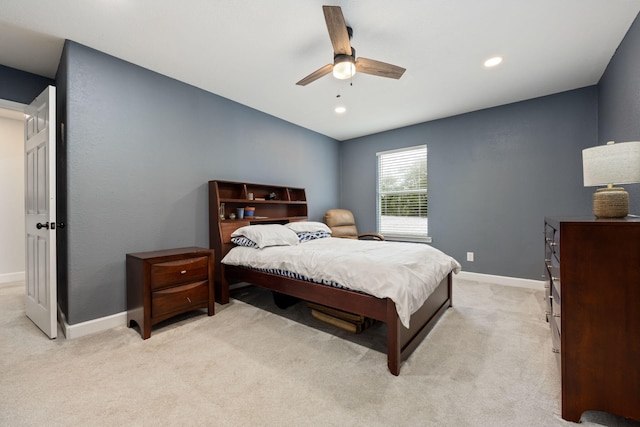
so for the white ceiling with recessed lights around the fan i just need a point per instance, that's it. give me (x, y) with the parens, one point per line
(254, 51)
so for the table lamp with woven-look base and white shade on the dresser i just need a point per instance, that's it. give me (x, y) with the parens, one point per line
(607, 165)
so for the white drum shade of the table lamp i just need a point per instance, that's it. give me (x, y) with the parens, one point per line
(611, 164)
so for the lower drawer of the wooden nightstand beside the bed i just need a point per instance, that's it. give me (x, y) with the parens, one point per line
(178, 298)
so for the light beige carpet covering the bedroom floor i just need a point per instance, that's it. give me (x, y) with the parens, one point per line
(488, 362)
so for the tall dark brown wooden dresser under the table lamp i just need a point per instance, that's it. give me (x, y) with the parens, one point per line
(593, 303)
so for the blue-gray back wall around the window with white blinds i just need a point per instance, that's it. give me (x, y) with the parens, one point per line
(493, 176)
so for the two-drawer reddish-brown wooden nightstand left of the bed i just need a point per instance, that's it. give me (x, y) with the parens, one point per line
(162, 284)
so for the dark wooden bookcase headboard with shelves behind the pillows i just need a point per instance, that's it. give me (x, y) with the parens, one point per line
(272, 203)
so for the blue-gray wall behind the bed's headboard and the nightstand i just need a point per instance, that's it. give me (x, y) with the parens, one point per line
(140, 148)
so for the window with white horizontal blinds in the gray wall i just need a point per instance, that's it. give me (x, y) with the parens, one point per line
(402, 194)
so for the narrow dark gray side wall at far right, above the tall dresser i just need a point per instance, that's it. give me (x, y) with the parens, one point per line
(619, 101)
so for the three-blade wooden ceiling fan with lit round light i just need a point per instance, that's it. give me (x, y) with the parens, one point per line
(345, 64)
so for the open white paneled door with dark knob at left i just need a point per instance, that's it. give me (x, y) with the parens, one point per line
(40, 212)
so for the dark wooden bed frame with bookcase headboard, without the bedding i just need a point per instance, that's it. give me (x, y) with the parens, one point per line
(401, 342)
